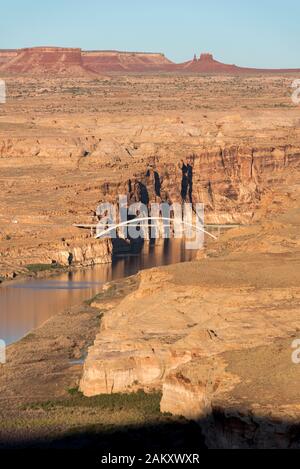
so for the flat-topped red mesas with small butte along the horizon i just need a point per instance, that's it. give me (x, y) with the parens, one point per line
(74, 62)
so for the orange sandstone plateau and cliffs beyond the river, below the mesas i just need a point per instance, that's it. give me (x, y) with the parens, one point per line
(74, 143)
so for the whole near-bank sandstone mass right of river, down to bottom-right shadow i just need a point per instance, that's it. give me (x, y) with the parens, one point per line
(216, 336)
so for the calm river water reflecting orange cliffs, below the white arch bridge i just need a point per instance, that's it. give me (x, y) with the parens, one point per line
(26, 305)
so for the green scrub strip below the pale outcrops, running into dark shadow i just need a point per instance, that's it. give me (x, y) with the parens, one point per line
(109, 421)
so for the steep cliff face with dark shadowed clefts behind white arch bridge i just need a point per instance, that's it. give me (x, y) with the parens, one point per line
(230, 181)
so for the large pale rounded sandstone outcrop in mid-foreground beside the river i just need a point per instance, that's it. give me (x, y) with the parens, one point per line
(172, 321)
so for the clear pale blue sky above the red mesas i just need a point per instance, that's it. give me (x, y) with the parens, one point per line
(262, 33)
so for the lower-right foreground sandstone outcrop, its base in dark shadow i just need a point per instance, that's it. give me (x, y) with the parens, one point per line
(242, 399)
